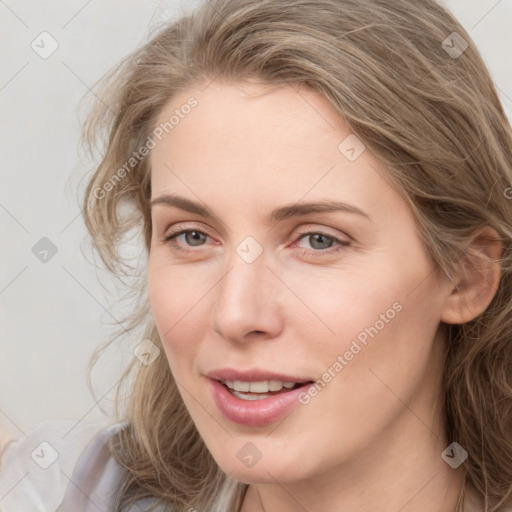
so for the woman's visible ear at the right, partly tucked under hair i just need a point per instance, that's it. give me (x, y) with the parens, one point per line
(477, 282)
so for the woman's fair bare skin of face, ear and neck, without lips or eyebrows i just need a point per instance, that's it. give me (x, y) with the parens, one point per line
(372, 438)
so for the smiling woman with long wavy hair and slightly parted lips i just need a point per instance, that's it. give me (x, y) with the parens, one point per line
(323, 192)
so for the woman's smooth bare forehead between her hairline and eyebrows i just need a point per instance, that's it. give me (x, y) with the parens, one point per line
(256, 144)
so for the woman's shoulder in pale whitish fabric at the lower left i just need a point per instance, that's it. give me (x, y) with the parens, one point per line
(39, 469)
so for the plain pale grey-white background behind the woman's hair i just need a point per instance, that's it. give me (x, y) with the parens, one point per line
(53, 314)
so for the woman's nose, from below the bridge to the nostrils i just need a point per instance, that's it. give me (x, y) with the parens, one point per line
(246, 302)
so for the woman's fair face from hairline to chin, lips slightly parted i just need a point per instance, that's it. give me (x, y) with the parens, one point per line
(298, 258)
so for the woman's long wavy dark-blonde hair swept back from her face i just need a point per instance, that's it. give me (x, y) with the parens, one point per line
(431, 116)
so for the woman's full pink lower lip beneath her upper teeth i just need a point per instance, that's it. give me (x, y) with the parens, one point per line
(255, 413)
